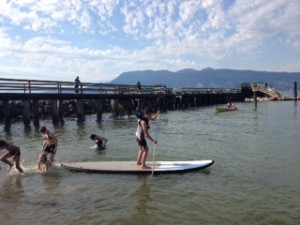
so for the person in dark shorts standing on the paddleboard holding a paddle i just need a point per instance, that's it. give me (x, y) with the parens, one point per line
(142, 133)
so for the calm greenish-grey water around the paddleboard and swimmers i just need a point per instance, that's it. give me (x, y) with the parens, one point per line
(255, 178)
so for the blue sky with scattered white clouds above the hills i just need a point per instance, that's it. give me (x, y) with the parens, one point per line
(98, 40)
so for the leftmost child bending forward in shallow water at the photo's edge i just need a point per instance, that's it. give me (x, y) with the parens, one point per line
(13, 151)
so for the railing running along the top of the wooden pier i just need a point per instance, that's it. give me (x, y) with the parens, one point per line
(23, 86)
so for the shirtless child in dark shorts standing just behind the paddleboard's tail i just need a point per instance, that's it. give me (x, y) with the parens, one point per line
(50, 143)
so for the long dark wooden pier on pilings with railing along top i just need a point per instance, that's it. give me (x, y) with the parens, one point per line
(32, 100)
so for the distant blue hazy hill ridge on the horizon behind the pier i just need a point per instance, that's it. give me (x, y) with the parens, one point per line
(216, 78)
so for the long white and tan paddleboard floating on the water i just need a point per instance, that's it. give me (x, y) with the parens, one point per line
(132, 167)
